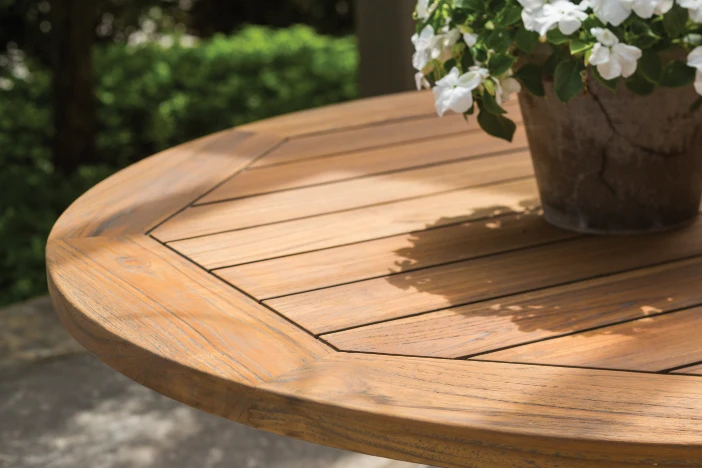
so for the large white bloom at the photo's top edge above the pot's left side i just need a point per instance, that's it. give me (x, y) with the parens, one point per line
(563, 14)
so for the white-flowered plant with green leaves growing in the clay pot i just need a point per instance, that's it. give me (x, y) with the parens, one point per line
(479, 52)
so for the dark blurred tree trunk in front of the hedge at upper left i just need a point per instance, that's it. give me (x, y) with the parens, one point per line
(75, 108)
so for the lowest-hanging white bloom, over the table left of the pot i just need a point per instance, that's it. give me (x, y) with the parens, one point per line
(455, 91)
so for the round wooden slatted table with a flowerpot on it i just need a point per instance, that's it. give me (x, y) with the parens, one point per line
(370, 277)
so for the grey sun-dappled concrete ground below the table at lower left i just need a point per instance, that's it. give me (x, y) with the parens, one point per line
(62, 408)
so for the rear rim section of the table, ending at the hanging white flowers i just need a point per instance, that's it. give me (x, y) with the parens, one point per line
(349, 115)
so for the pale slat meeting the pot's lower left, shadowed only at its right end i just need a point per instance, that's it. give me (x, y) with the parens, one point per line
(304, 235)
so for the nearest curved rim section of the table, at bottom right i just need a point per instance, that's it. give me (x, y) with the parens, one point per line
(473, 414)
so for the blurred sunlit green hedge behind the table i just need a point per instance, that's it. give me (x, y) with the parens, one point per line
(151, 98)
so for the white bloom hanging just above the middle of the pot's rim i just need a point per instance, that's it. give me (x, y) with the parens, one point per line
(612, 58)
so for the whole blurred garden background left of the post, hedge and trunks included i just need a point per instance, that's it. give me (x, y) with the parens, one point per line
(144, 75)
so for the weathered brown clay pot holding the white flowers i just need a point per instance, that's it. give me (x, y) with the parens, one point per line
(619, 163)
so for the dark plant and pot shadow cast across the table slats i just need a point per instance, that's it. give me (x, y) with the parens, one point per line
(546, 288)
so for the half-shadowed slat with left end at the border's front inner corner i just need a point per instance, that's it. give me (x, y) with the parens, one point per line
(524, 318)
